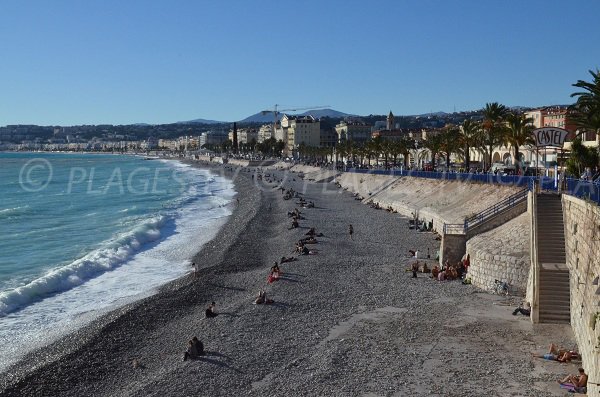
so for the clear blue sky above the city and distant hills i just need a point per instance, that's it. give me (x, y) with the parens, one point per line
(122, 62)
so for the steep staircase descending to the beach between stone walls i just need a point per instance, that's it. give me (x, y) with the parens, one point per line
(554, 288)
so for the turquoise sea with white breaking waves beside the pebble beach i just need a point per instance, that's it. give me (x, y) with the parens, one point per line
(83, 234)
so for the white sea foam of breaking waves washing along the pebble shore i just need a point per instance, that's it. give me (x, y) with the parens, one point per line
(125, 268)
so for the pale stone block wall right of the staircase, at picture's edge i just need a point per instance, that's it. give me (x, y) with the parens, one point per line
(582, 241)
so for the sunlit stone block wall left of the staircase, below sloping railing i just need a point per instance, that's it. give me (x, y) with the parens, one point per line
(501, 254)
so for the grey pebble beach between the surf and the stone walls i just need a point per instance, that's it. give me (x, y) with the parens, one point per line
(348, 321)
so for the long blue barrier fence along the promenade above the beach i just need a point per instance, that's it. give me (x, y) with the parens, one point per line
(575, 187)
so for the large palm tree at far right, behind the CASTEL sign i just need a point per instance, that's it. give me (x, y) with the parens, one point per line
(585, 113)
